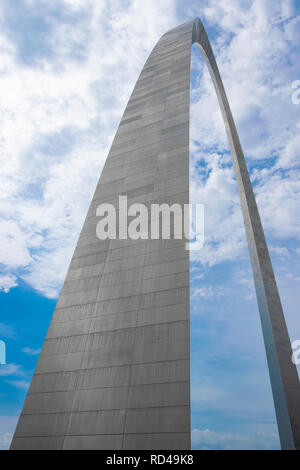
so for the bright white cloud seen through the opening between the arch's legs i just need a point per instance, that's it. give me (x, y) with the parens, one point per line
(223, 224)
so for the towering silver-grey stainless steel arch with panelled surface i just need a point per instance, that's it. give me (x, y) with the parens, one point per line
(114, 371)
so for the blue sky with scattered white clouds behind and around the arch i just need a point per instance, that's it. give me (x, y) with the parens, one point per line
(67, 69)
